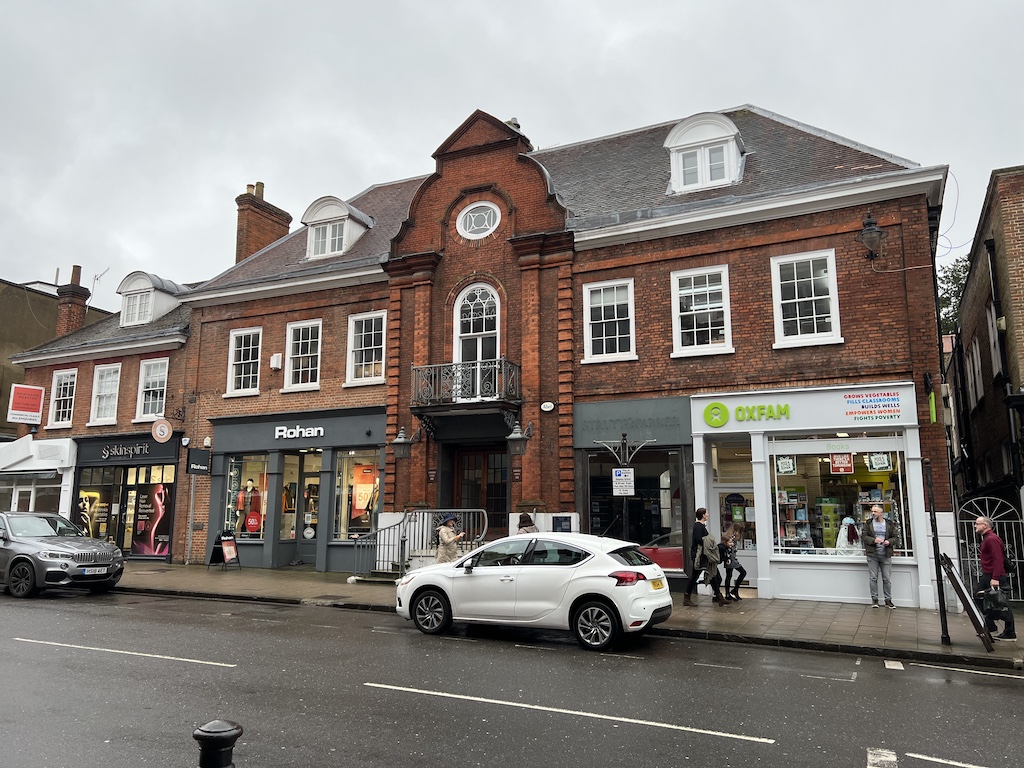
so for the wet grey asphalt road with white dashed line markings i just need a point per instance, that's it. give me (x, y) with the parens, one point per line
(123, 680)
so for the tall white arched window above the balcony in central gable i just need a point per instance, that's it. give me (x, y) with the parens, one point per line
(477, 344)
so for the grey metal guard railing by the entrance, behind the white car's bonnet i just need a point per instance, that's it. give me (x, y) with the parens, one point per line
(408, 540)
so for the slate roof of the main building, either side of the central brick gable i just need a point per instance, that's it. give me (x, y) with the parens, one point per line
(602, 182)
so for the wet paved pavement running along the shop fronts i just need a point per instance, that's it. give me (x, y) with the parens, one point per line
(846, 628)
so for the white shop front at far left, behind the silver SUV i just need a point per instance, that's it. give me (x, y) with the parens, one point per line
(38, 476)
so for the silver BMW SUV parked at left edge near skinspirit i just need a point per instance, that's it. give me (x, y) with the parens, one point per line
(40, 550)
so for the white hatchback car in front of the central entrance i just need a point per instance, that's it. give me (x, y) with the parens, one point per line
(599, 588)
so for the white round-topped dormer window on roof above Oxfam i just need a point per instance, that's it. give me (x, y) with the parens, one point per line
(706, 151)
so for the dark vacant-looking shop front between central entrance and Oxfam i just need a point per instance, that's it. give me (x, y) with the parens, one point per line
(651, 441)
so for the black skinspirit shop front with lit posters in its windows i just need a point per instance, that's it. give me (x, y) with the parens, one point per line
(125, 492)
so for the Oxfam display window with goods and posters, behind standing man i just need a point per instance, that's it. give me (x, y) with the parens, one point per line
(818, 498)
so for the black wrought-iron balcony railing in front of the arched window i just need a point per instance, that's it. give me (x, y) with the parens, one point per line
(467, 382)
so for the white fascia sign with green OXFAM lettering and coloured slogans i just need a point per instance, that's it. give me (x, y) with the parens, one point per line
(889, 405)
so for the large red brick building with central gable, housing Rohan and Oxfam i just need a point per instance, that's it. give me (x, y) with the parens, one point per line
(735, 311)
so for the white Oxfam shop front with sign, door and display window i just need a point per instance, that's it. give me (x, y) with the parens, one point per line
(792, 473)
